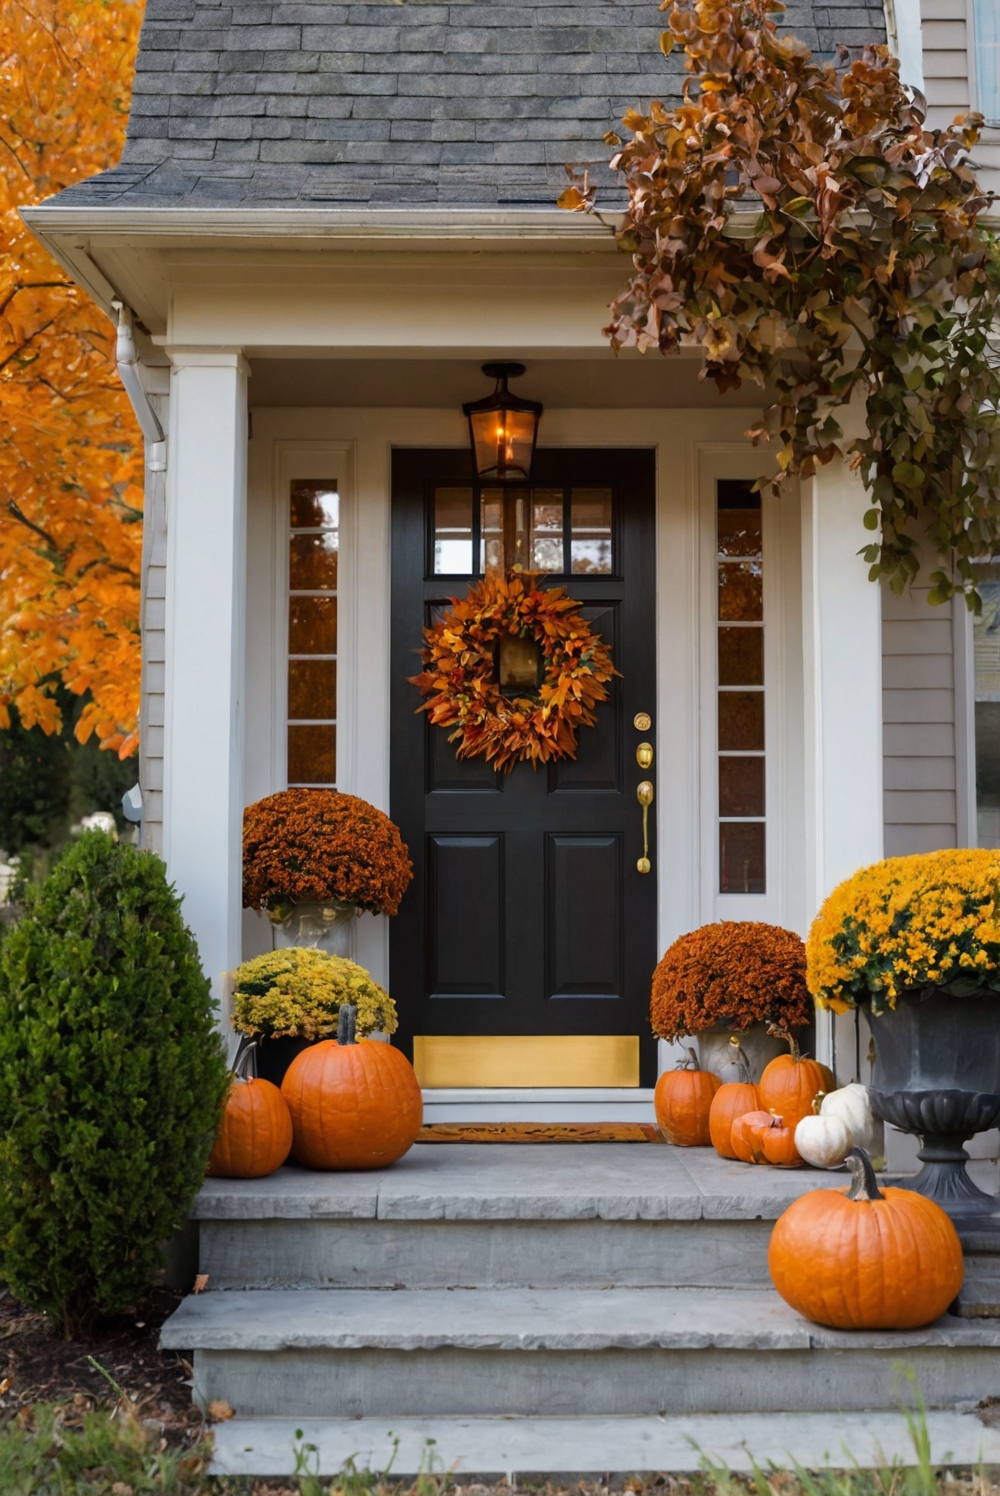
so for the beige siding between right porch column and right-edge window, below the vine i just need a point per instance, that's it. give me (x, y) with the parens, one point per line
(920, 770)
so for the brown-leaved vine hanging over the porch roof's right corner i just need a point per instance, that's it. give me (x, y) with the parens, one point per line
(799, 221)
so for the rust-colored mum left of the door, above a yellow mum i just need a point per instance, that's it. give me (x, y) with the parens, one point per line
(323, 847)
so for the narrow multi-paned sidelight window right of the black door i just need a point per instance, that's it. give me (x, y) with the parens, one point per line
(740, 689)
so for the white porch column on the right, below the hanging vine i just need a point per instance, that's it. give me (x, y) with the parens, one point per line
(842, 647)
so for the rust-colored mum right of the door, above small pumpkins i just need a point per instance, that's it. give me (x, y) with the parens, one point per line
(731, 975)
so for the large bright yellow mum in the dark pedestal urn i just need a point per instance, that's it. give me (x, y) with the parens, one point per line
(929, 921)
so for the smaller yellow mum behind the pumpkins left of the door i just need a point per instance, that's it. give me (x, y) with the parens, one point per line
(299, 993)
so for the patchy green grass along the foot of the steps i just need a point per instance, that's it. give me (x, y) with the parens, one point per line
(82, 1450)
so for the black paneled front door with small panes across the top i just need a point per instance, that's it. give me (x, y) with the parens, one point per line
(528, 915)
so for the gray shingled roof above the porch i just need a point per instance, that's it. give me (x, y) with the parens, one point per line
(396, 104)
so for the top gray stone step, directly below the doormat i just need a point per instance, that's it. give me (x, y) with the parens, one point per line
(511, 1215)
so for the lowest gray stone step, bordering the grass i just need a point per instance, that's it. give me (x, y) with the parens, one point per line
(519, 1449)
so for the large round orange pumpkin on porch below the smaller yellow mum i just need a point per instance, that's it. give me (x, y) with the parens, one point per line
(354, 1103)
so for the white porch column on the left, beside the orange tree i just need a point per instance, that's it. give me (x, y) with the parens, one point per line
(206, 604)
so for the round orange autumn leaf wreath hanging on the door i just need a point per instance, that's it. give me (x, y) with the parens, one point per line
(460, 672)
